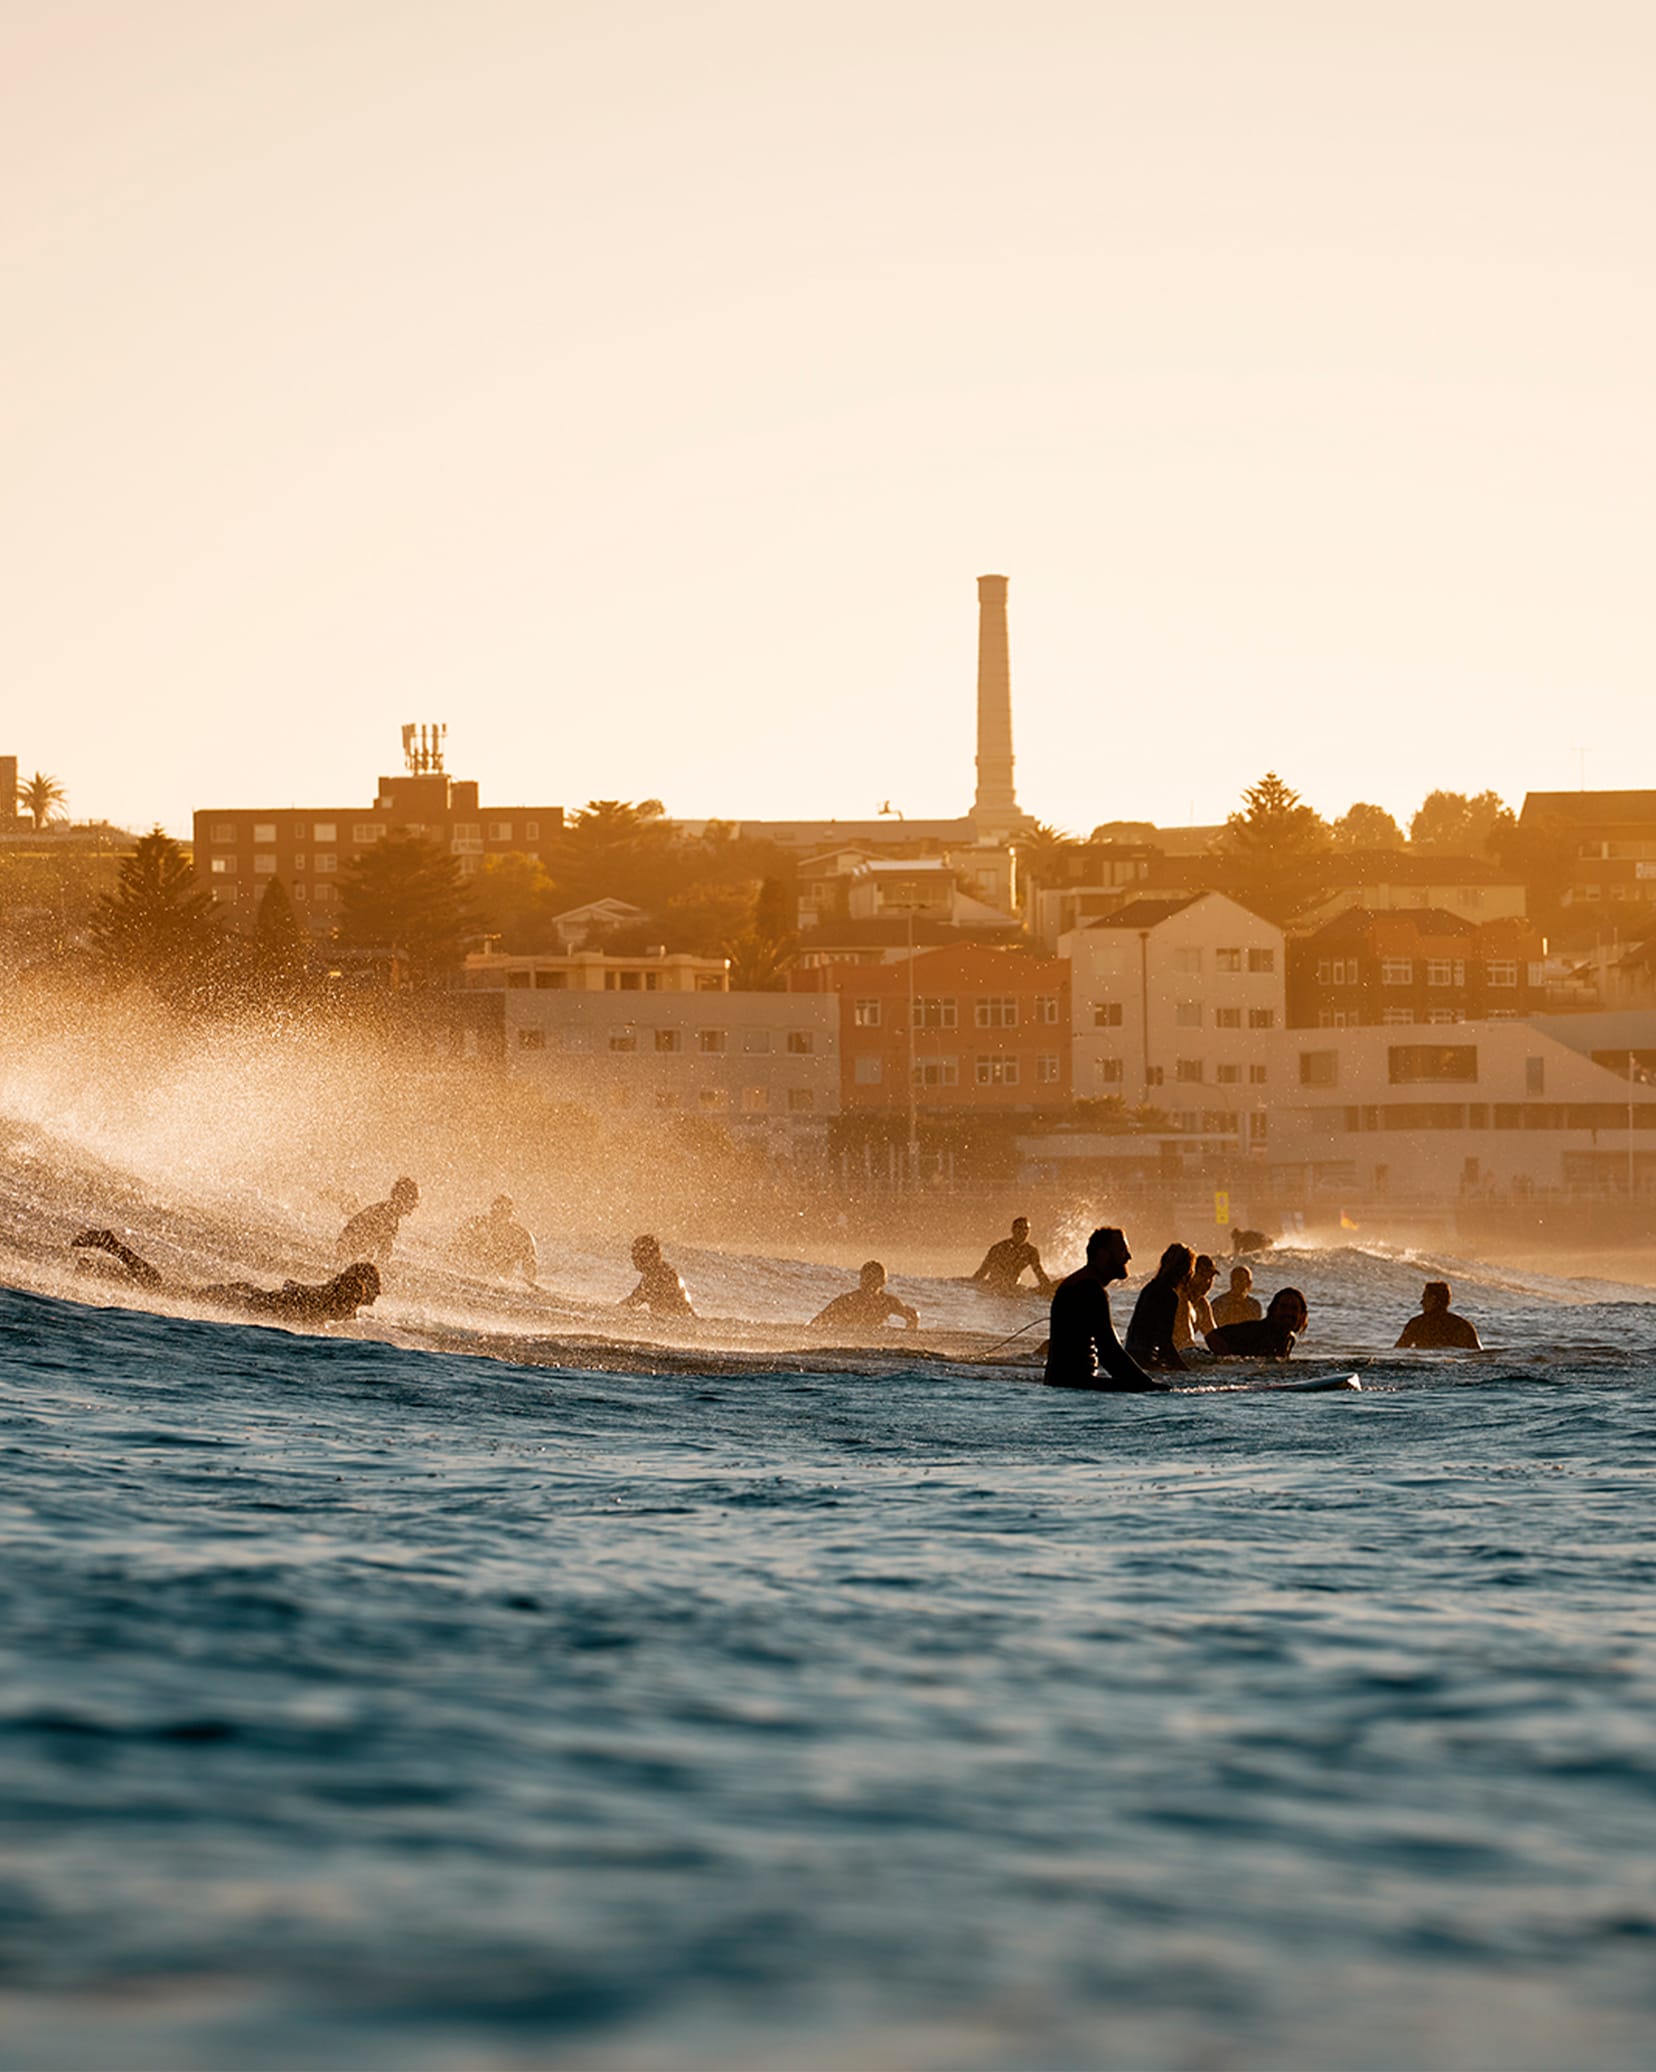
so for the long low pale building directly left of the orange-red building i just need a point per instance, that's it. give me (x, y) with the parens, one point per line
(766, 1066)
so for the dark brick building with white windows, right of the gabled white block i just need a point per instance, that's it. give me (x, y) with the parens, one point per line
(1406, 967)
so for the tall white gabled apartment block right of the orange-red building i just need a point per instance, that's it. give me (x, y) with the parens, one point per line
(1180, 1004)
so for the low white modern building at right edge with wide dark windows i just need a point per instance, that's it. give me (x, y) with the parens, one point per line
(1479, 1112)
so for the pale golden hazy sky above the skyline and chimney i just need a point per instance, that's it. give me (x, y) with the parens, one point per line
(641, 386)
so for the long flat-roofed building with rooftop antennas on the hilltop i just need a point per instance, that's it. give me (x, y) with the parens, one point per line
(241, 848)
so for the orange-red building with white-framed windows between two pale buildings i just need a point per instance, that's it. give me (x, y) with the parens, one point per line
(973, 1031)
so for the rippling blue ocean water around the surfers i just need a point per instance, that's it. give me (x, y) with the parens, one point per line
(635, 1704)
